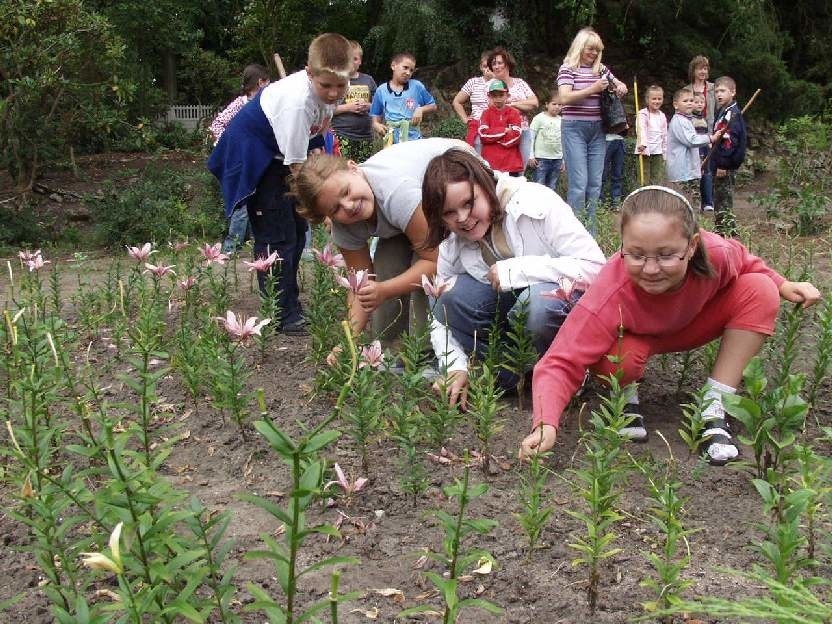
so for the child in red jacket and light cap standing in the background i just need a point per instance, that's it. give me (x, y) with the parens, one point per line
(500, 130)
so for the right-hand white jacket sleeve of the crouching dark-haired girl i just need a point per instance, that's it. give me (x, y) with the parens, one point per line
(571, 253)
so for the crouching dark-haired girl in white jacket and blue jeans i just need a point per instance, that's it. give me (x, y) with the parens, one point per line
(500, 241)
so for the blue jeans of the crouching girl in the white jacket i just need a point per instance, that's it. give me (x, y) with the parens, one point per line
(469, 308)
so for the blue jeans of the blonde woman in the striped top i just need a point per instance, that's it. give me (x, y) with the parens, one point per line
(584, 149)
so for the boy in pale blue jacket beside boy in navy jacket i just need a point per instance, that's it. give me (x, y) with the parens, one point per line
(683, 164)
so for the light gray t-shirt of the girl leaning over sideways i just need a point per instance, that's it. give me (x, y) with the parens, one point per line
(395, 175)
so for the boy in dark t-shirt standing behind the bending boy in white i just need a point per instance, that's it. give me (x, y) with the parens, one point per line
(351, 122)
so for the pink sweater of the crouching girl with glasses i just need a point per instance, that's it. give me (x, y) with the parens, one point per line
(591, 329)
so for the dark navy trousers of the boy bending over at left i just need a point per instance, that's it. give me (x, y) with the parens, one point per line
(276, 226)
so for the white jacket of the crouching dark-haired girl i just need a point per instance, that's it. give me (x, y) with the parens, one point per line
(548, 243)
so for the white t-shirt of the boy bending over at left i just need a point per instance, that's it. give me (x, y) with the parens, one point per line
(295, 114)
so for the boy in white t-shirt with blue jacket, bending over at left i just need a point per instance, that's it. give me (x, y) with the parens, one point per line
(265, 142)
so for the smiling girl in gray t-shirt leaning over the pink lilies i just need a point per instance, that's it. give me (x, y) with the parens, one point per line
(380, 197)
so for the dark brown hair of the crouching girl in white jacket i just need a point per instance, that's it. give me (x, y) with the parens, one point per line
(455, 165)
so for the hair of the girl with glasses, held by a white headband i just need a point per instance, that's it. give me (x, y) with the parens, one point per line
(669, 203)
